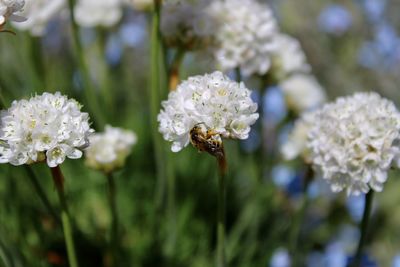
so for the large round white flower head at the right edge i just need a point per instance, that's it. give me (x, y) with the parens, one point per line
(354, 141)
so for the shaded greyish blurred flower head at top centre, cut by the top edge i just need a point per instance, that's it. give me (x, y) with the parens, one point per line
(186, 24)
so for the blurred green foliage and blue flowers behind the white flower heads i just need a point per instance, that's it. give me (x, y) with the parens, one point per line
(351, 45)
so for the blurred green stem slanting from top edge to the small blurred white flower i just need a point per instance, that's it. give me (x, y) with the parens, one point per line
(89, 90)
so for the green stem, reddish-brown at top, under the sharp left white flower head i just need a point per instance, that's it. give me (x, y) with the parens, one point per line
(58, 179)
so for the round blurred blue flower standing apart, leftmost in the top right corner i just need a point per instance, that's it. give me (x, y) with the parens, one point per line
(335, 19)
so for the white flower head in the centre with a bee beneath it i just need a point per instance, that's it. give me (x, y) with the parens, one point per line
(222, 105)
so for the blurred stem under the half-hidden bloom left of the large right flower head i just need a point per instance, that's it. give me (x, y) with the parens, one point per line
(299, 216)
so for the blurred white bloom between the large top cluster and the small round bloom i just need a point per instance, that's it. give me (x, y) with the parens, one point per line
(288, 57)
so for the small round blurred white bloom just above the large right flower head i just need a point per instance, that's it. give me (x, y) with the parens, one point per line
(302, 92)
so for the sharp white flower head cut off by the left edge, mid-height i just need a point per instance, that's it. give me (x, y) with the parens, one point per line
(46, 127)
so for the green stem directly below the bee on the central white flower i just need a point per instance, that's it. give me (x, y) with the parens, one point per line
(221, 257)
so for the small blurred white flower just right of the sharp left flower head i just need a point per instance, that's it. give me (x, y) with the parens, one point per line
(109, 150)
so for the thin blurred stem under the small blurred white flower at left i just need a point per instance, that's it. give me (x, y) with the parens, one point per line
(114, 214)
